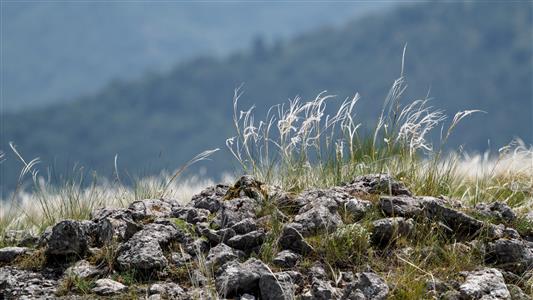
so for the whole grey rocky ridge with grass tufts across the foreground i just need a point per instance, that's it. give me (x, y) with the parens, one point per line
(253, 241)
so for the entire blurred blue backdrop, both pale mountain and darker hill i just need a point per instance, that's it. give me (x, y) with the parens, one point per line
(152, 82)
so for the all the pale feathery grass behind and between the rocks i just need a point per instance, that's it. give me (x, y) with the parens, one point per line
(299, 146)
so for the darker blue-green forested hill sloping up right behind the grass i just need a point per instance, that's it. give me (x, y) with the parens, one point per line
(470, 55)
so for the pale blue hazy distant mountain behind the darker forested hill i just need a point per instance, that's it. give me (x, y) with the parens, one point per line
(58, 50)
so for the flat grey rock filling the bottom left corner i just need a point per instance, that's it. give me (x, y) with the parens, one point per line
(21, 284)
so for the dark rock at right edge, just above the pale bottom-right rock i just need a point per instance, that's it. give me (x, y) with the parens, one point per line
(512, 255)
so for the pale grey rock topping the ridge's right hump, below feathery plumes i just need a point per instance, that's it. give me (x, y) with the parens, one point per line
(377, 184)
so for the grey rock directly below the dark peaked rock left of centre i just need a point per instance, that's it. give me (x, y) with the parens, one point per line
(236, 210)
